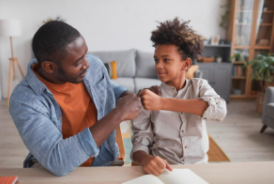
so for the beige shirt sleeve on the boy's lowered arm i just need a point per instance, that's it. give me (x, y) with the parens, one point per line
(142, 133)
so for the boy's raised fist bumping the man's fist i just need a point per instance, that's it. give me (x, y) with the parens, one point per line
(150, 100)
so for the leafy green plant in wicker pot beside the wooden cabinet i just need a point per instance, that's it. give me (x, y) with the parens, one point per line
(262, 72)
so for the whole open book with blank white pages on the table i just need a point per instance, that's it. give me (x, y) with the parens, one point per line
(177, 176)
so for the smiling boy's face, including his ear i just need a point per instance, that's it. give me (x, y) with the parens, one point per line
(169, 64)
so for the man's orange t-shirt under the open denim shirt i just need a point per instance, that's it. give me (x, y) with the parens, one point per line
(78, 109)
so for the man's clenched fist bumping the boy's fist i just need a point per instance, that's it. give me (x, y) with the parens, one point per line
(130, 106)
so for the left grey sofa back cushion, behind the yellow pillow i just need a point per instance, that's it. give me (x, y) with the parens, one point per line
(126, 66)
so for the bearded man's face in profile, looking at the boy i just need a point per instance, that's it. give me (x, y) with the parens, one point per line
(74, 66)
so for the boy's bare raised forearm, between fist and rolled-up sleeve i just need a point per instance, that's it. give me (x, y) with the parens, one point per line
(192, 106)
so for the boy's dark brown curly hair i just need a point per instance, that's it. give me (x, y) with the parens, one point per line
(190, 44)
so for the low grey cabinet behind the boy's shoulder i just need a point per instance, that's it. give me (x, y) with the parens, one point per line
(218, 76)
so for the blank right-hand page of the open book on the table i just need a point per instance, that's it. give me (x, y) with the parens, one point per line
(181, 176)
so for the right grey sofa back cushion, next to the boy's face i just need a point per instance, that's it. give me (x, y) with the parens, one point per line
(145, 65)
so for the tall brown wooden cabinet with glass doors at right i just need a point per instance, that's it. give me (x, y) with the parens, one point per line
(250, 29)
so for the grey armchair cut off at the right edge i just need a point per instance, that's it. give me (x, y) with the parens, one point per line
(268, 109)
